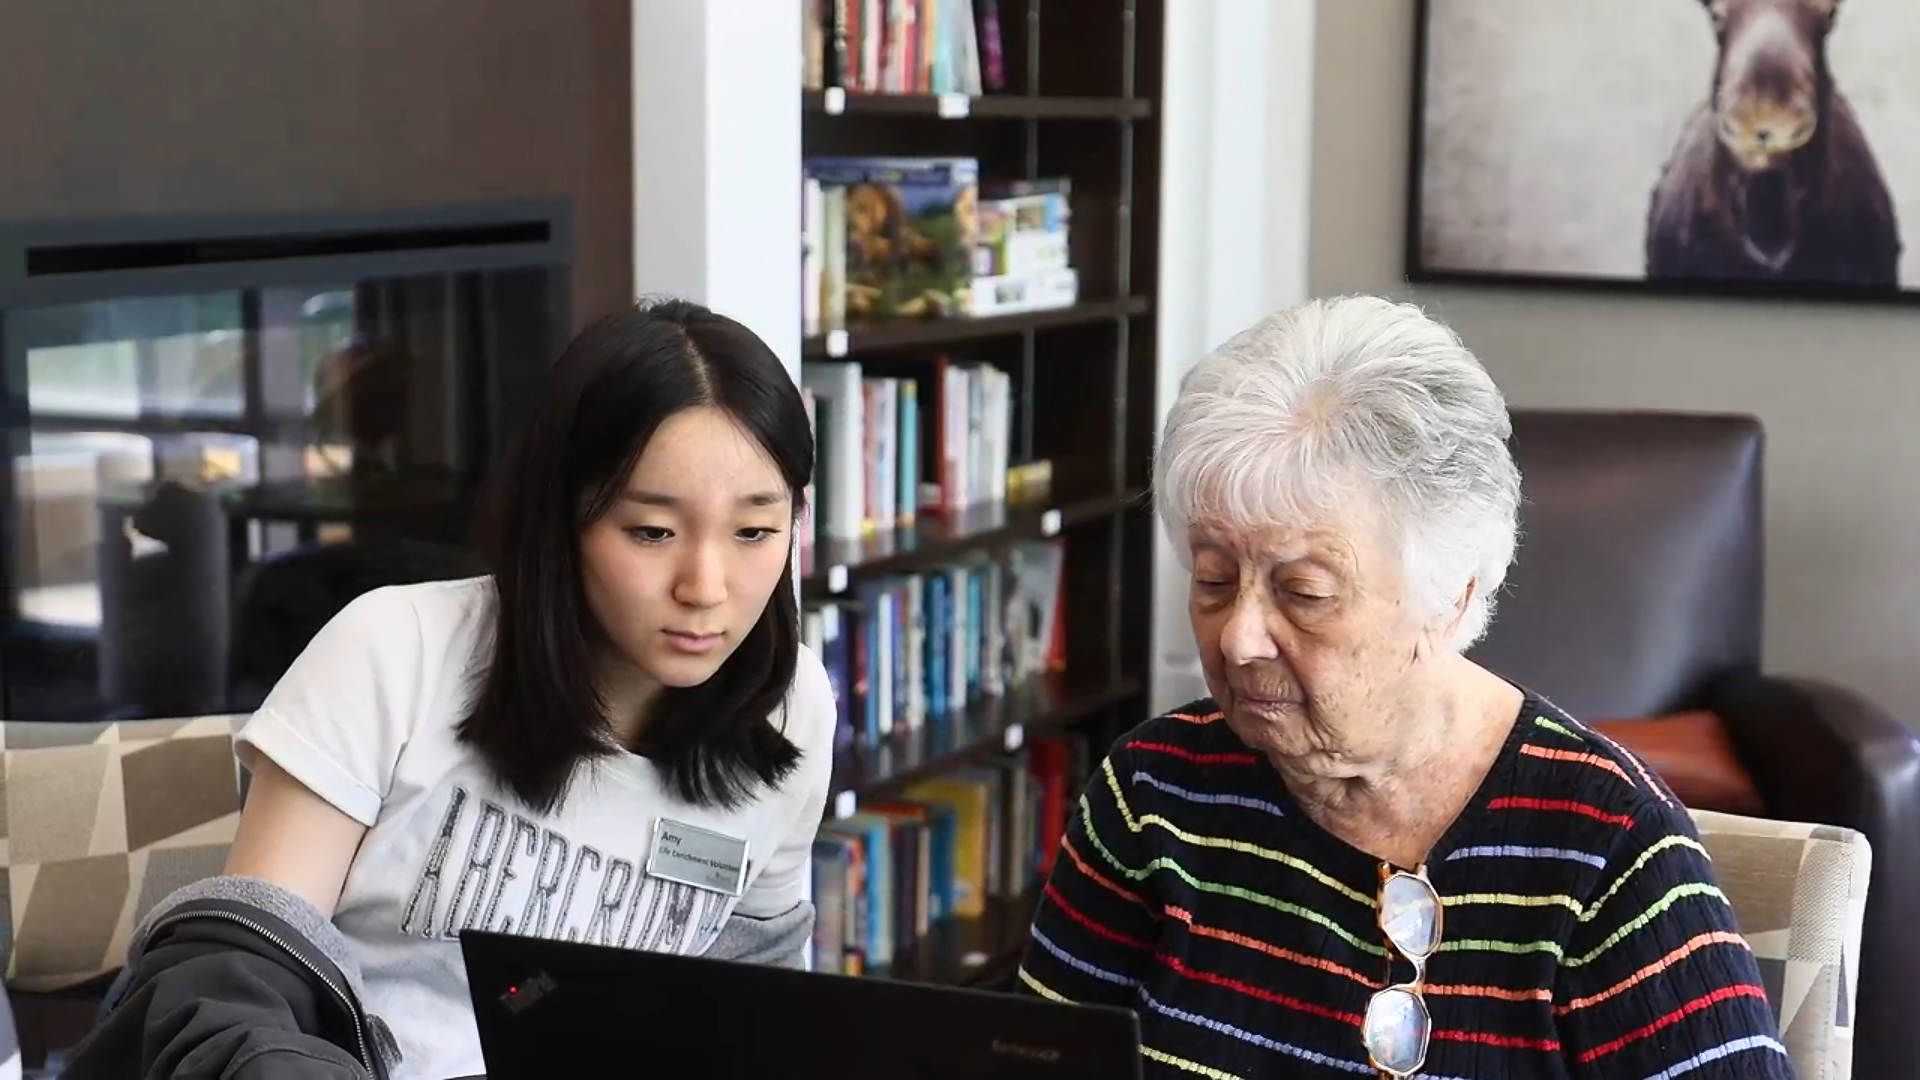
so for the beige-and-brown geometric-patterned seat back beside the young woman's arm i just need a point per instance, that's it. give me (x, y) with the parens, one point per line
(99, 823)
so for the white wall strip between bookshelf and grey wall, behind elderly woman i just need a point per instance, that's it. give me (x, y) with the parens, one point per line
(1237, 116)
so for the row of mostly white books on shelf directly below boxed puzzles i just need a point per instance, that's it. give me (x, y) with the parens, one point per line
(892, 447)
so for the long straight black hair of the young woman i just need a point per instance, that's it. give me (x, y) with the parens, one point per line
(539, 712)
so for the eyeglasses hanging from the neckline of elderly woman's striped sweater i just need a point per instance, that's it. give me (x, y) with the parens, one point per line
(1397, 1027)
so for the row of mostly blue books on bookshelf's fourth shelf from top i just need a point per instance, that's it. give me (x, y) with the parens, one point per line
(928, 645)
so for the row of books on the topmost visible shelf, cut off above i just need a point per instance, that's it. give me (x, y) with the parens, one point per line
(903, 47)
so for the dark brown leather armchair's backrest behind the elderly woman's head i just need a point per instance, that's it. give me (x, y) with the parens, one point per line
(1641, 564)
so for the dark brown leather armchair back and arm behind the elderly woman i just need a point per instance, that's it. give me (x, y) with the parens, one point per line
(1639, 593)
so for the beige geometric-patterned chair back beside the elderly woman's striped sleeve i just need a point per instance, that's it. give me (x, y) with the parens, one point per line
(1800, 898)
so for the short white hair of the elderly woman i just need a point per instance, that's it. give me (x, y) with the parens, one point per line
(1353, 399)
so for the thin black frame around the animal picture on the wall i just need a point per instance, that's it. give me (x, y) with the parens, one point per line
(1416, 270)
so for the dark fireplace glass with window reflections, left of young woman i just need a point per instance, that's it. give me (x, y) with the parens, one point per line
(201, 470)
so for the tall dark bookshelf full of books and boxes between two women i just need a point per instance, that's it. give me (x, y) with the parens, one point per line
(948, 800)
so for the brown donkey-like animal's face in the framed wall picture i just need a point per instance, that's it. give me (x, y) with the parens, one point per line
(1771, 78)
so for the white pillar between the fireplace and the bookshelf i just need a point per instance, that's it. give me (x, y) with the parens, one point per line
(717, 160)
